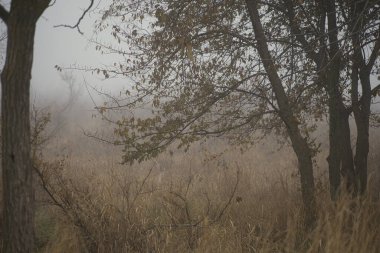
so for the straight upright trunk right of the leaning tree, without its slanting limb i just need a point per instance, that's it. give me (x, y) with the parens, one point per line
(340, 153)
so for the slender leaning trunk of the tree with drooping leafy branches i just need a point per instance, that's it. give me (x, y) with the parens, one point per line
(299, 144)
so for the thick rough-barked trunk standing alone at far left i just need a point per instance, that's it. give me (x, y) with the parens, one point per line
(18, 193)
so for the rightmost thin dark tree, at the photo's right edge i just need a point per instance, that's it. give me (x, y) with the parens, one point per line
(365, 27)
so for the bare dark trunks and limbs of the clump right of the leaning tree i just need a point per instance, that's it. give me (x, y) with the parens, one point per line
(328, 61)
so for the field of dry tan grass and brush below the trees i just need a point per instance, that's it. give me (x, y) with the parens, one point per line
(211, 199)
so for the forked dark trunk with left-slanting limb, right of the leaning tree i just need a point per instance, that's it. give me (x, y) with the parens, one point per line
(328, 61)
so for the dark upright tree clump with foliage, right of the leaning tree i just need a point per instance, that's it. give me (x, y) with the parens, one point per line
(342, 39)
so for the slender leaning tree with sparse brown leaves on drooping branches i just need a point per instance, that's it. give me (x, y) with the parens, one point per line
(195, 66)
